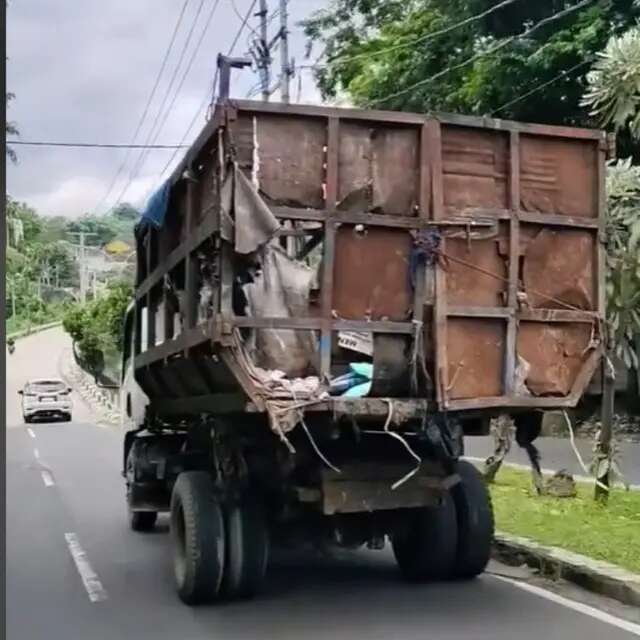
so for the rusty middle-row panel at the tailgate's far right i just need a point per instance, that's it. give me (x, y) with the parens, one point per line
(557, 268)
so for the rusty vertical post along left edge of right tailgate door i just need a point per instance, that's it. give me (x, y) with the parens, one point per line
(440, 306)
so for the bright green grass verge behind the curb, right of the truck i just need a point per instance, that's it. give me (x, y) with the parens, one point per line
(605, 532)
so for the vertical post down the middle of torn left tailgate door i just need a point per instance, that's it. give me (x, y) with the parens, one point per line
(331, 199)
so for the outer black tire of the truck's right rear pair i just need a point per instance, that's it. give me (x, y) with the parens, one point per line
(475, 522)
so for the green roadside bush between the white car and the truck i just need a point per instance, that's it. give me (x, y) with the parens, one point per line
(97, 326)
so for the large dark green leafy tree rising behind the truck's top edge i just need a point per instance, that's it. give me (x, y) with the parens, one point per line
(375, 51)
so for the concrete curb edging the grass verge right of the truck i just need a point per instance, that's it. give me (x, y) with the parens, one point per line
(594, 575)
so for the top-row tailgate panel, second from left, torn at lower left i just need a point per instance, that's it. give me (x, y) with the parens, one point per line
(384, 161)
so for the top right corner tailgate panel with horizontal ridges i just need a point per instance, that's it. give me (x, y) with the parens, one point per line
(559, 176)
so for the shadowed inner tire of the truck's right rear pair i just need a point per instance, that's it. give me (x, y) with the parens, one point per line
(425, 548)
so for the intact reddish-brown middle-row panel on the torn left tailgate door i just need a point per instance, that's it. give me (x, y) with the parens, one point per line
(371, 274)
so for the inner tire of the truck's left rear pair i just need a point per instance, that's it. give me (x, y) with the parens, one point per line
(247, 550)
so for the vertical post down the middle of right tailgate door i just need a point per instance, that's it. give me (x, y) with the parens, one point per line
(514, 262)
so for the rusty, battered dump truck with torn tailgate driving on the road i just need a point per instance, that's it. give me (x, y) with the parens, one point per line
(327, 302)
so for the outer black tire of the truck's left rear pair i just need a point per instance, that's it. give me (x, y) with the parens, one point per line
(197, 532)
